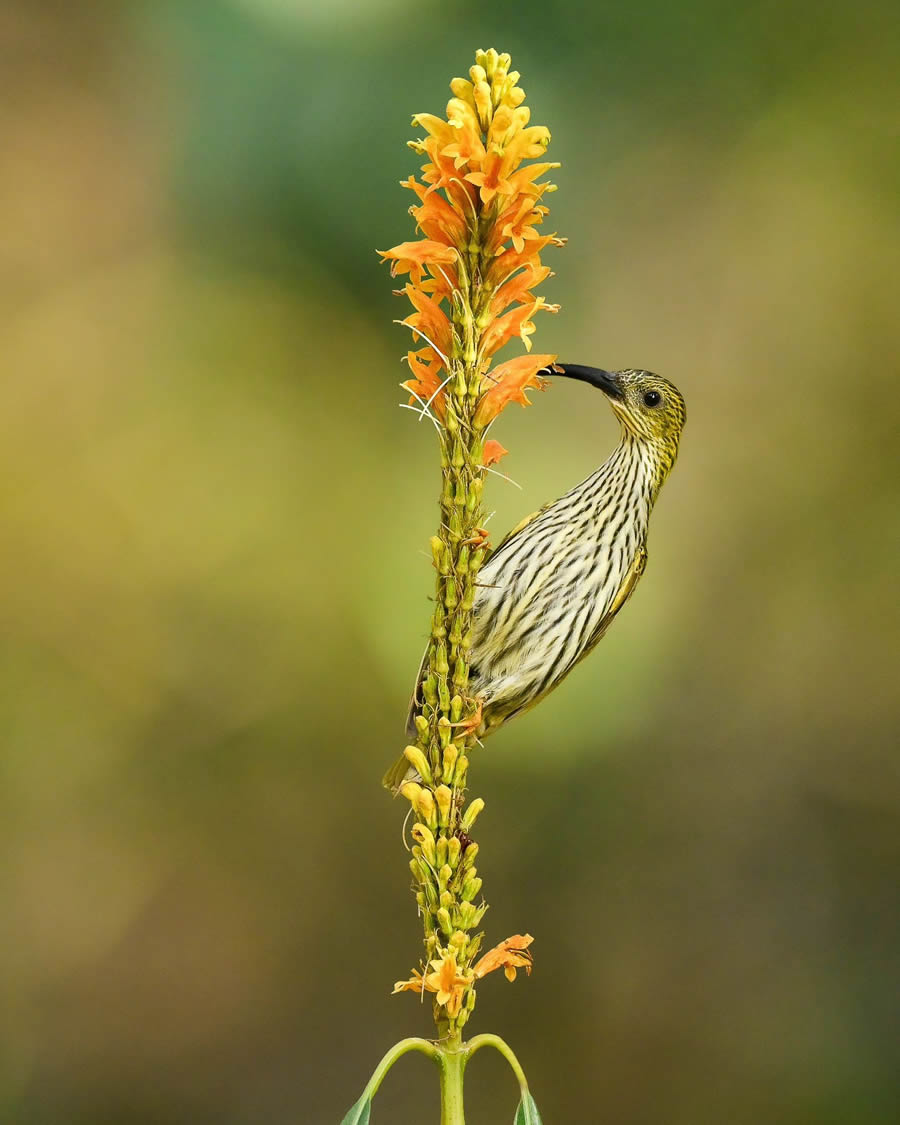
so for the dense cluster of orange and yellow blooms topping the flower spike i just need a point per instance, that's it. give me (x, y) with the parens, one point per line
(474, 273)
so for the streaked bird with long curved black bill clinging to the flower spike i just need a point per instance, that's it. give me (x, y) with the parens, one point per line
(552, 589)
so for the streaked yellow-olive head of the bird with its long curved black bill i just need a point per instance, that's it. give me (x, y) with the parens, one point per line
(650, 408)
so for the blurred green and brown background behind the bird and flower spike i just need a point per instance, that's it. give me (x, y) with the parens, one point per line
(214, 578)
